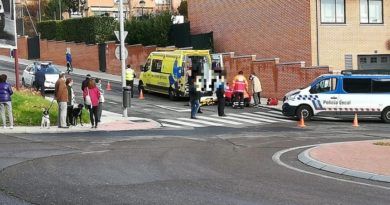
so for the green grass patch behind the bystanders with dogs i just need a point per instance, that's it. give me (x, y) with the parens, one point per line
(27, 109)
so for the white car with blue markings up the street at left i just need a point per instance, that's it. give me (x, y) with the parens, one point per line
(40, 74)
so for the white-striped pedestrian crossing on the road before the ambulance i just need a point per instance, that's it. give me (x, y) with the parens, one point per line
(231, 120)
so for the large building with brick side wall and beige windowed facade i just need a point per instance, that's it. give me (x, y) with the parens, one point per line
(344, 34)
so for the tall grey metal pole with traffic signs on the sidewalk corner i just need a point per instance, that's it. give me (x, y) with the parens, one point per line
(122, 47)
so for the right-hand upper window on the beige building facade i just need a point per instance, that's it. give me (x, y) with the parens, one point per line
(371, 11)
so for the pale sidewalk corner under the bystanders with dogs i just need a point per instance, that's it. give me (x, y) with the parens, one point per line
(110, 122)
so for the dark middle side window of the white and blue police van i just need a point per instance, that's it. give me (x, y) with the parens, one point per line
(357, 85)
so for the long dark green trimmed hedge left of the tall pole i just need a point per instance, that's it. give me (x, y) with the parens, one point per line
(90, 30)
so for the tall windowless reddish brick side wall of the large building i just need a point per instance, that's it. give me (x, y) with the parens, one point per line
(269, 29)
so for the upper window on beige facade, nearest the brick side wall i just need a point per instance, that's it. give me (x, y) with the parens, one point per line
(332, 11)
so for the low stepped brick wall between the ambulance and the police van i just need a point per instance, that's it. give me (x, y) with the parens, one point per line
(276, 78)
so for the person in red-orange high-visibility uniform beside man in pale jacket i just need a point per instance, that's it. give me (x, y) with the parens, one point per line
(240, 85)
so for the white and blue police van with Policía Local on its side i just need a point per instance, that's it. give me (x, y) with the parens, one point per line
(341, 96)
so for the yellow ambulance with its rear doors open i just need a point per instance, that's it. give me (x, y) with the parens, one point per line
(168, 72)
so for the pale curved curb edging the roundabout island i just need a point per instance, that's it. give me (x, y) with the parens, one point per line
(305, 158)
